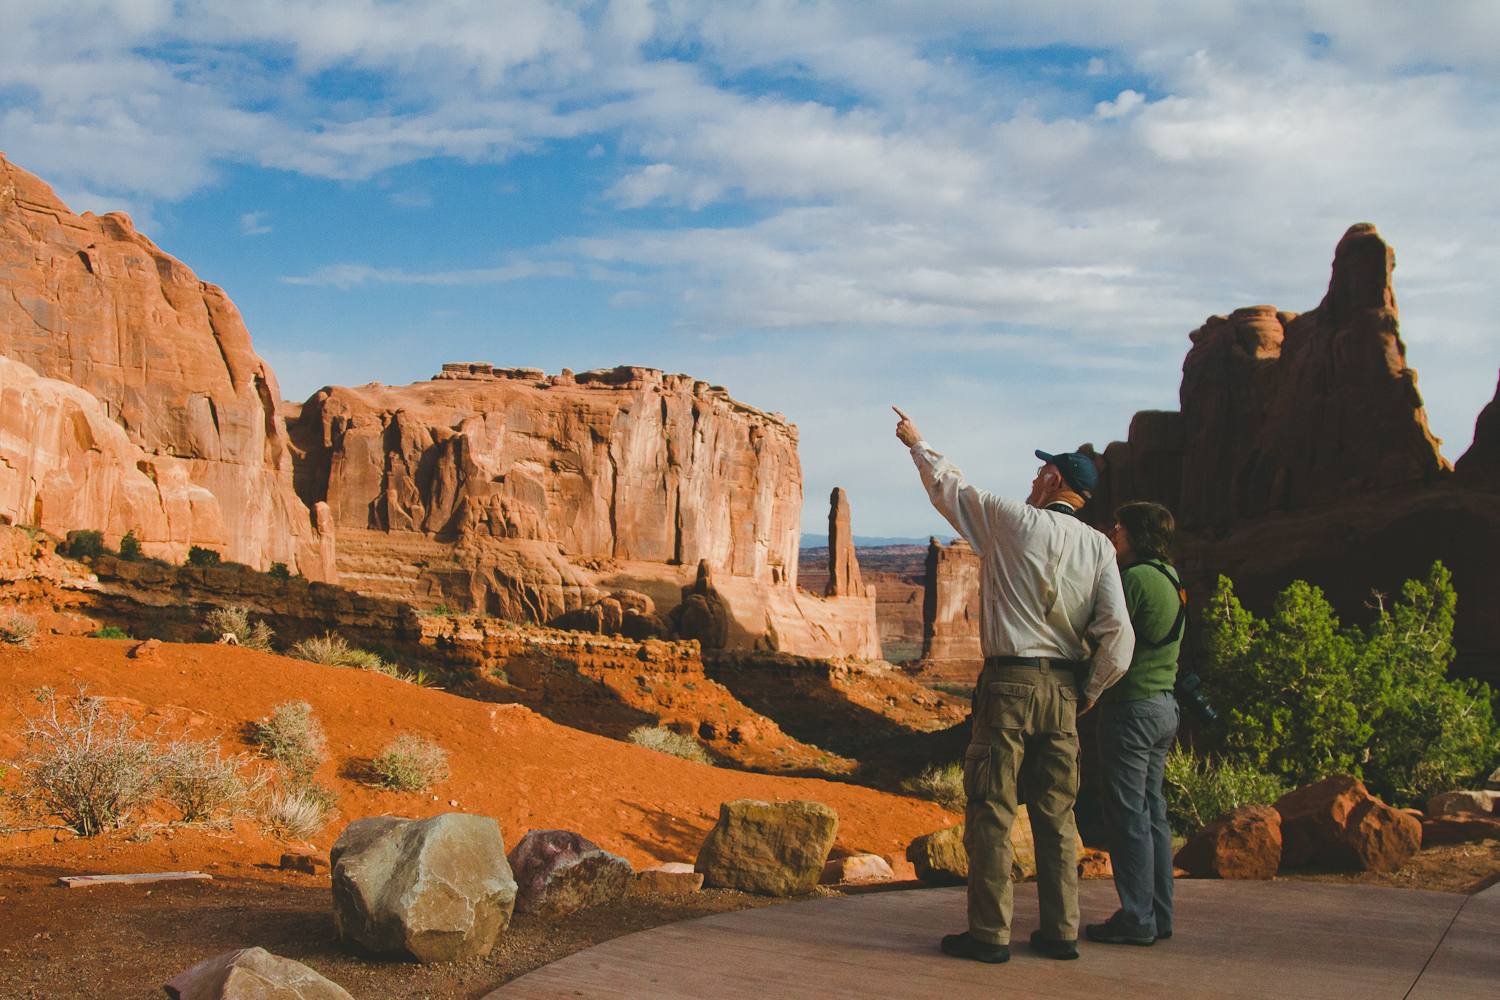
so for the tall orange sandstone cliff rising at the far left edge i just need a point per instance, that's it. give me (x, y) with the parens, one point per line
(94, 304)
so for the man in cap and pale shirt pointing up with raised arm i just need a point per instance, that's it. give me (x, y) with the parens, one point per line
(1049, 591)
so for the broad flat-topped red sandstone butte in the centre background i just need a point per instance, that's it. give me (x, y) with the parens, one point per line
(529, 497)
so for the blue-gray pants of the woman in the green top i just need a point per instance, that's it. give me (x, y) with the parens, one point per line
(1135, 738)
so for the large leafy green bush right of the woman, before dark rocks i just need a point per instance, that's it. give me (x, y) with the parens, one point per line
(1304, 699)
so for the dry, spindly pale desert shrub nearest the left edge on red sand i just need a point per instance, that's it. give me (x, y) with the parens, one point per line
(85, 765)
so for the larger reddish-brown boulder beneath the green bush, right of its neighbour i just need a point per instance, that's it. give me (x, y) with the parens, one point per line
(1336, 822)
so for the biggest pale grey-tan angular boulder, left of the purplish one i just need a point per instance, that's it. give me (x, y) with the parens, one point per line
(439, 890)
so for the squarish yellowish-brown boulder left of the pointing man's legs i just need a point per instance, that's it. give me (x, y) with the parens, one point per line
(770, 849)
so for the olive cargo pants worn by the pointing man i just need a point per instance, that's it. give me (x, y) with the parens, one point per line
(1025, 728)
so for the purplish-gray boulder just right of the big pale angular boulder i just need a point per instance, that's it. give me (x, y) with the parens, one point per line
(560, 872)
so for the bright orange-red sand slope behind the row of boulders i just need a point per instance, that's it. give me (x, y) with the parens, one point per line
(506, 761)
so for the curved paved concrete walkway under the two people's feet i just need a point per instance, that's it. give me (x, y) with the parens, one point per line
(1243, 941)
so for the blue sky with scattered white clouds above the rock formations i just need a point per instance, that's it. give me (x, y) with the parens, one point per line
(1004, 218)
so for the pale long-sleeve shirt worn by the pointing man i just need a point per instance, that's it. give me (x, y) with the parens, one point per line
(1048, 582)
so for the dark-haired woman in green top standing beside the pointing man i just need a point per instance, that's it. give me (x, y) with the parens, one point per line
(1138, 723)
